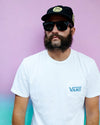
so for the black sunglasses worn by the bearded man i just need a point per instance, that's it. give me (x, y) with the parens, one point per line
(61, 25)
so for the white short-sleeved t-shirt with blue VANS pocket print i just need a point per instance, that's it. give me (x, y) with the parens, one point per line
(57, 88)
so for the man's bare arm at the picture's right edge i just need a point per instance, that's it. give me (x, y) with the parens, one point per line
(92, 111)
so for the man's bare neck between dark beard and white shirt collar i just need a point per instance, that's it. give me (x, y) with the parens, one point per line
(59, 55)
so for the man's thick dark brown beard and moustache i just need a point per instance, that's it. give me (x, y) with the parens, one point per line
(65, 42)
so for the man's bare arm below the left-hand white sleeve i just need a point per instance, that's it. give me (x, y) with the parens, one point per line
(19, 111)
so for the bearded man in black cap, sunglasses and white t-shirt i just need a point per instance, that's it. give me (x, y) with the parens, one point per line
(59, 80)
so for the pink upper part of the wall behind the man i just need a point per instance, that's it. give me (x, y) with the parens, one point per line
(21, 32)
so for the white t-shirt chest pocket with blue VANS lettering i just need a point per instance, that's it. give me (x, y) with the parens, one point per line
(75, 95)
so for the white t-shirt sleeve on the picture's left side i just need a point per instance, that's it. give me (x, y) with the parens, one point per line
(20, 85)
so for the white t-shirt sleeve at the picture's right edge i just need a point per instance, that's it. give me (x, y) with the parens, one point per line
(93, 81)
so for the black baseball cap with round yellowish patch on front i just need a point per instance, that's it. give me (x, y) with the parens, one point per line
(64, 11)
